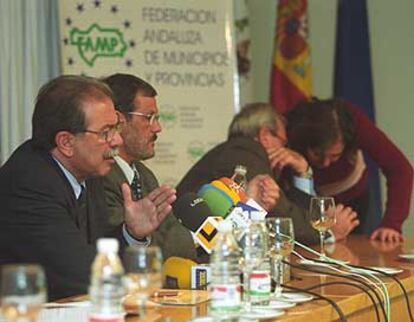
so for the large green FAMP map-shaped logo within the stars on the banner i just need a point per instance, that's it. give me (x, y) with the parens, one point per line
(97, 42)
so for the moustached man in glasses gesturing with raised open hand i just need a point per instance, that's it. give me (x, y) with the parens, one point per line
(51, 195)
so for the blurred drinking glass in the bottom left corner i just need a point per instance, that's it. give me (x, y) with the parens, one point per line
(22, 291)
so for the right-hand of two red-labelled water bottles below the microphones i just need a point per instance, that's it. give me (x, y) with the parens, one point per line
(256, 265)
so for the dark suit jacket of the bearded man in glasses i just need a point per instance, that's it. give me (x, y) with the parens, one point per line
(172, 237)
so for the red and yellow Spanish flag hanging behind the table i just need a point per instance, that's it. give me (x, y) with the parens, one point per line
(291, 79)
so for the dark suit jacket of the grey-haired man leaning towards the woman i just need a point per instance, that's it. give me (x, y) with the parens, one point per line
(221, 161)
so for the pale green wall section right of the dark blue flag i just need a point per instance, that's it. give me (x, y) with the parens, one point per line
(392, 43)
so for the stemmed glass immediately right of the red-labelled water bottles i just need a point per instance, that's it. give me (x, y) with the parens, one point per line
(281, 243)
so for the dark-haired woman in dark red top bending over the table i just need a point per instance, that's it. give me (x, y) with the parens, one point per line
(332, 135)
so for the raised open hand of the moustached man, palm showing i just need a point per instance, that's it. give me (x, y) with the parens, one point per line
(142, 217)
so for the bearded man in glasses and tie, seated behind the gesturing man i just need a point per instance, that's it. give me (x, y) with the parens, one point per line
(135, 100)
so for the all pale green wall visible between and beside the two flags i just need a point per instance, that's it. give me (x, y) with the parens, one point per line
(392, 48)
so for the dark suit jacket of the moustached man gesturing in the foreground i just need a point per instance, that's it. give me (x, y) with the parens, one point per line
(38, 220)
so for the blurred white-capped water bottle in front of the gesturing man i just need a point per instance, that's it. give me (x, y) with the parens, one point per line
(106, 286)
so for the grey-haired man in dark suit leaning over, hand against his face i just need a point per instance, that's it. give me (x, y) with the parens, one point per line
(257, 140)
